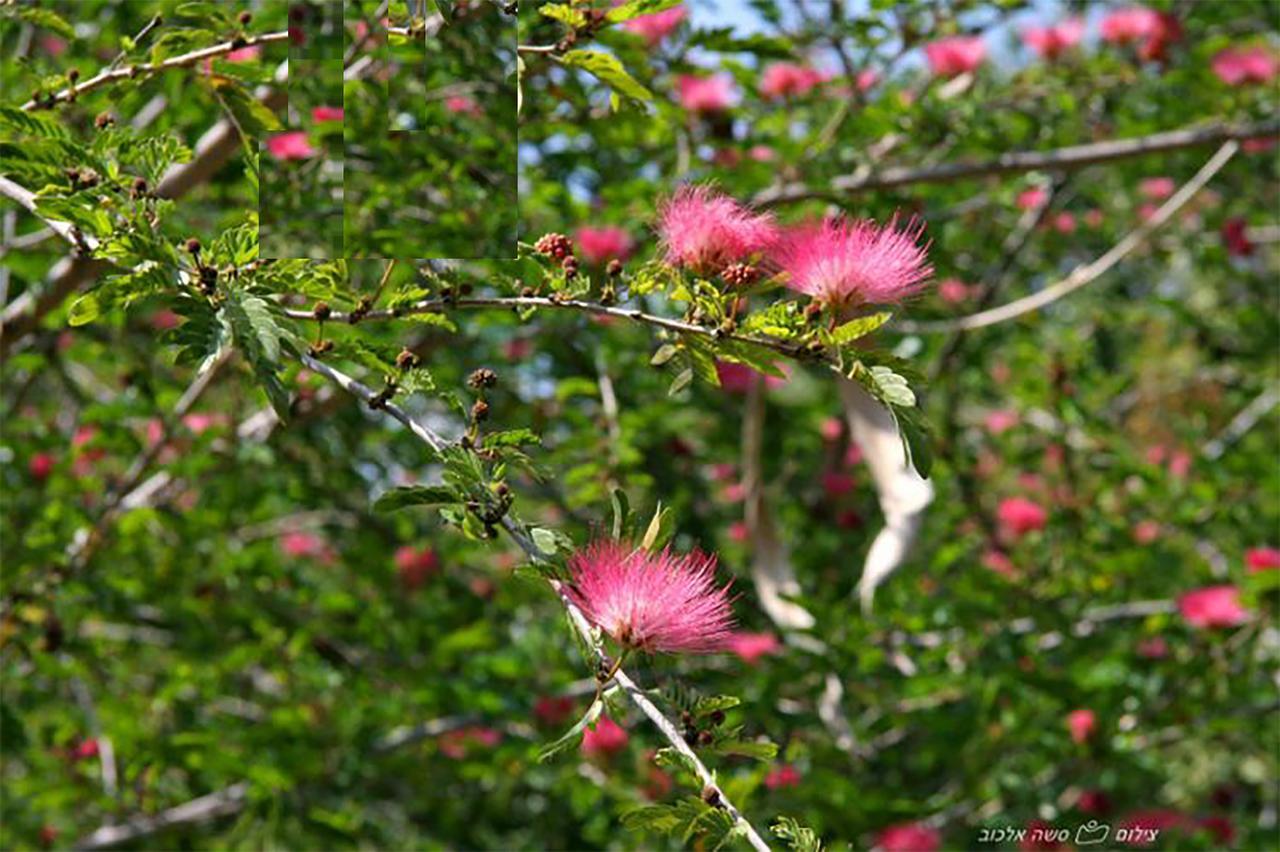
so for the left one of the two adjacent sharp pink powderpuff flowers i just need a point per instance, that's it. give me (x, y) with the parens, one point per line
(705, 231)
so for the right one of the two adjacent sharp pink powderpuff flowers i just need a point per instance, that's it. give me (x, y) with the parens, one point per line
(845, 263)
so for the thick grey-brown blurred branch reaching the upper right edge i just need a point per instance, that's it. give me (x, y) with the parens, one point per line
(1060, 159)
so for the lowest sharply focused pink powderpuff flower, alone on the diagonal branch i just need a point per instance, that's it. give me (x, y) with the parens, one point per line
(652, 602)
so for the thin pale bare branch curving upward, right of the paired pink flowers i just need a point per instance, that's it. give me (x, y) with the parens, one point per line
(1086, 273)
